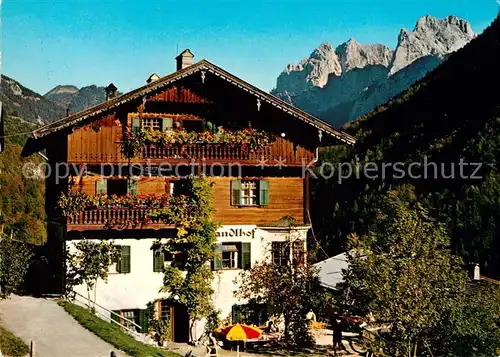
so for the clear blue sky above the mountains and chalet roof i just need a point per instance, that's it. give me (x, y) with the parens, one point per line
(46, 43)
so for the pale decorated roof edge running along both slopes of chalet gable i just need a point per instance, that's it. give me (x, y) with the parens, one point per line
(203, 65)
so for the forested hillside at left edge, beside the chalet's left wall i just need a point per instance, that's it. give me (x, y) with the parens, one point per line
(22, 200)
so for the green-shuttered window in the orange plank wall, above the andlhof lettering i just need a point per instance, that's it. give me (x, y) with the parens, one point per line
(249, 192)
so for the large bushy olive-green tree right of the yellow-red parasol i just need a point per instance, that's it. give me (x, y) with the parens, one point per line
(404, 271)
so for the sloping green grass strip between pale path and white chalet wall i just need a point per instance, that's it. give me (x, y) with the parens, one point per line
(112, 334)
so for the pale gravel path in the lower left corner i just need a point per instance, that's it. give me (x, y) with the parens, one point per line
(56, 333)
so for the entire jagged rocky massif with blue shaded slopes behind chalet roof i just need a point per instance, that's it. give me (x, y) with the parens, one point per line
(341, 84)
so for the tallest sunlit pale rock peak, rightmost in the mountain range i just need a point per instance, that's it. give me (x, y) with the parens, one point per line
(430, 37)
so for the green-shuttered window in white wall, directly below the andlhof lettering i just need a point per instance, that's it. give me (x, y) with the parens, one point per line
(232, 256)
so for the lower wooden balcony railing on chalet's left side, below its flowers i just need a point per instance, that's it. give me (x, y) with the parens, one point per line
(114, 218)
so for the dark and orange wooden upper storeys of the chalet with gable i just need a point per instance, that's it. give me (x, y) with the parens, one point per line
(197, 99)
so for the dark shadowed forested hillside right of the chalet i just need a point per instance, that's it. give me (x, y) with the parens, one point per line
(451, 114)
